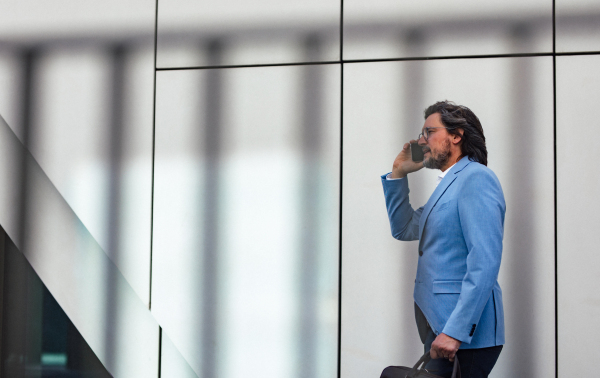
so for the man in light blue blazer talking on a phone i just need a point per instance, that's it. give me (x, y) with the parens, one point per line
(458, 301)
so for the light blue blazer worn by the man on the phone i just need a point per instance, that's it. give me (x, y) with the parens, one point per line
(460, 232)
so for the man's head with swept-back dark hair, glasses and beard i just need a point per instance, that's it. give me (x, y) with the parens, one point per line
(453, 131)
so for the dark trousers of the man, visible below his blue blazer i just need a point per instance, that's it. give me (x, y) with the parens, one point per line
(474, 363)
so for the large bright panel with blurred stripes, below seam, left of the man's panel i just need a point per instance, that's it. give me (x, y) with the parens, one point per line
(246, 219)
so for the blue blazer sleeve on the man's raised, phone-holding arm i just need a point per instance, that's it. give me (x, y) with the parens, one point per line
(404, 221)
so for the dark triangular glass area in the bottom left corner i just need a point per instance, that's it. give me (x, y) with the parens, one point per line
(38, 339)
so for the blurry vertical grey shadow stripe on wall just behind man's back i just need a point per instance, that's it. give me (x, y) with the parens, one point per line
(519, 203)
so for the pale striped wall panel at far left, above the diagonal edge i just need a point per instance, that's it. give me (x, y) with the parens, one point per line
(91, 77)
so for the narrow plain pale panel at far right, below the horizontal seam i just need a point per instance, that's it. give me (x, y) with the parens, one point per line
(577, 83)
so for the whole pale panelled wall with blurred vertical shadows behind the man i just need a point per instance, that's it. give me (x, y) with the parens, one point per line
(196, 183)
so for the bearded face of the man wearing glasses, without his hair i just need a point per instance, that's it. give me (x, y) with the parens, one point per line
(437, 146)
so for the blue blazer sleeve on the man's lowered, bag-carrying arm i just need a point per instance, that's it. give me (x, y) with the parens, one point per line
(481, 211)
